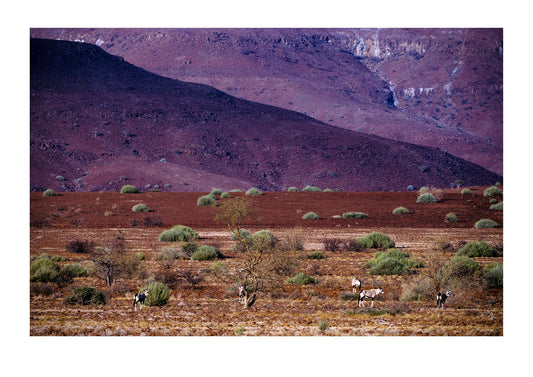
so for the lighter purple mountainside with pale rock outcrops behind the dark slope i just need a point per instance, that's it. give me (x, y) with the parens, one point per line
(435, 87)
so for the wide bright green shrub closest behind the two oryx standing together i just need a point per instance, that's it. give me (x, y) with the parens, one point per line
(392, 262)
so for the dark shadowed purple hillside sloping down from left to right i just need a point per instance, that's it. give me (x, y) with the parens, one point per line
(98, 122)
